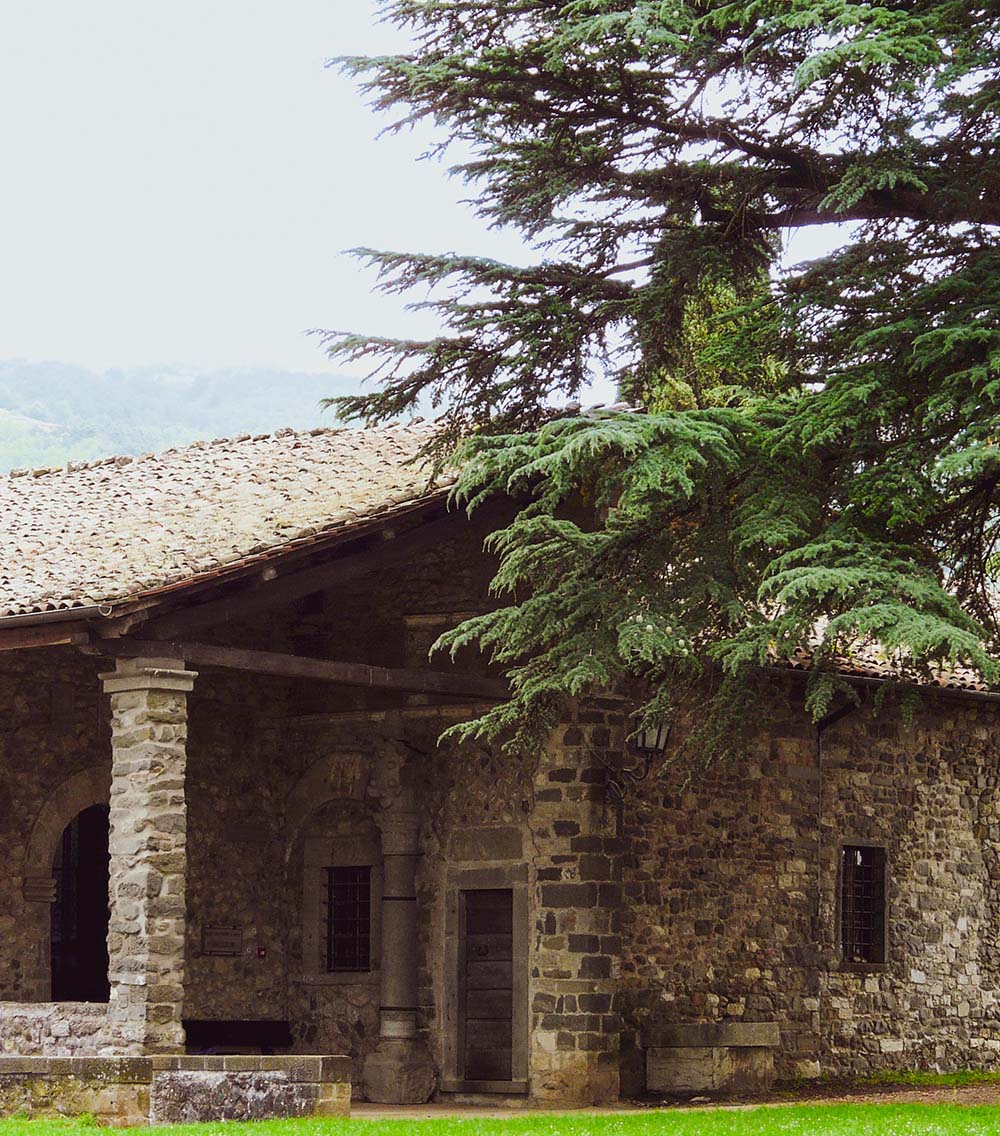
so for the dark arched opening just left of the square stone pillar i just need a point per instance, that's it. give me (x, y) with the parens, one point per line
(80, 914)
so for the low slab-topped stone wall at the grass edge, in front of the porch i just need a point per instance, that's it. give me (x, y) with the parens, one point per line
(177, 1090)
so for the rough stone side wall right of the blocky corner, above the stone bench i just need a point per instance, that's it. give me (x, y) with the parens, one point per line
(731, 878)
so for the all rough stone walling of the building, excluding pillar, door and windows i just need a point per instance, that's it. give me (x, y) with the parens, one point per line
(711, 899)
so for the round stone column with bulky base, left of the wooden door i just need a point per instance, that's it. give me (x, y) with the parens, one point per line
(402, 1071)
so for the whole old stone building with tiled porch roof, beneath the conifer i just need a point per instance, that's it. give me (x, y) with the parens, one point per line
(226, 812)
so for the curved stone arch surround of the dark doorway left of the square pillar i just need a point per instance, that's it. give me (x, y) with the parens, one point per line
(81, 791)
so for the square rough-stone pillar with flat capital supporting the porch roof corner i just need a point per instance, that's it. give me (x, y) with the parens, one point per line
(148, 856)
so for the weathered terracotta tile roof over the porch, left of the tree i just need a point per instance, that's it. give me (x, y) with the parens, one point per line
(107, 531)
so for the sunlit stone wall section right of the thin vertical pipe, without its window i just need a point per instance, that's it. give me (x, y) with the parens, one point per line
(928, 793)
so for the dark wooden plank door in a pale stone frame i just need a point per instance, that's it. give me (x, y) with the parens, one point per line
(488, 984)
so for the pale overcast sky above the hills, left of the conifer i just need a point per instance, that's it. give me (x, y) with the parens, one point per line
(180, 180)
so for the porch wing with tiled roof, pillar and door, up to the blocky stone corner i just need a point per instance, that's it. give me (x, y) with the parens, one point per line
(216, 661)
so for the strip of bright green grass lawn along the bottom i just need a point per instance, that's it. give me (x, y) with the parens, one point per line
(793, 1121)
